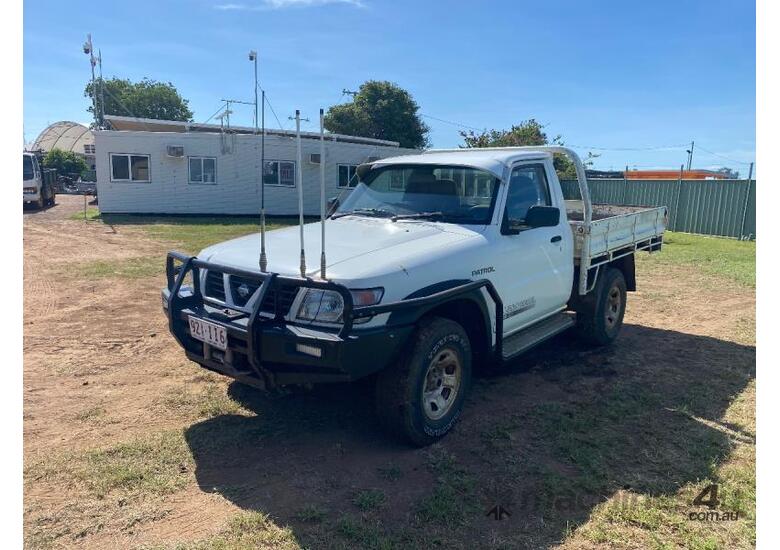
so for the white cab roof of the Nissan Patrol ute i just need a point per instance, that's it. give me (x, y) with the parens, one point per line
(491, 159)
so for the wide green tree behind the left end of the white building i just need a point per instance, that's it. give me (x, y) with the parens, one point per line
(144, 99)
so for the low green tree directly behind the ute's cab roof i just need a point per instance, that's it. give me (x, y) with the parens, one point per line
(528, 132)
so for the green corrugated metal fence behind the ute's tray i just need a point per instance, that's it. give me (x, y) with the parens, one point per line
(708, 207)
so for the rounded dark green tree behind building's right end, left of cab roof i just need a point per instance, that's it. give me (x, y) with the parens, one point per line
(380, 110)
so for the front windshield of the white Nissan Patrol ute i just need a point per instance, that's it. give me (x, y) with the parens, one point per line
(453, 194)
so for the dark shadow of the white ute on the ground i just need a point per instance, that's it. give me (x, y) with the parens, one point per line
(561, 430)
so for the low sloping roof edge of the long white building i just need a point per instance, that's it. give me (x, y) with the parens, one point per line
(135, 124)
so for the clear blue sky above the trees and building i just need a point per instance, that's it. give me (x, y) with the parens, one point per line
(638, 79)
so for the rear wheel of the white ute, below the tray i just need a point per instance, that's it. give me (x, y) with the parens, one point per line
(600, 314)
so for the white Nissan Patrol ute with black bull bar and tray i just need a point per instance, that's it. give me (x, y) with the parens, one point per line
(436, 263)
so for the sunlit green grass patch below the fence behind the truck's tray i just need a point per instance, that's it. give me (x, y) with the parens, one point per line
(727, 258)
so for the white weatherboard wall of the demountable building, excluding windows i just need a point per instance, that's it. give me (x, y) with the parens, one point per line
(237, 189)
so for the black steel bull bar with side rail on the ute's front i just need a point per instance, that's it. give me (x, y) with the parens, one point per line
(267, 349)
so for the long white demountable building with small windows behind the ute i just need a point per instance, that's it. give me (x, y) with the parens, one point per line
(168, 167)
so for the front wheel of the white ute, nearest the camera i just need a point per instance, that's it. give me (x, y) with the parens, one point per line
(420, 398)
